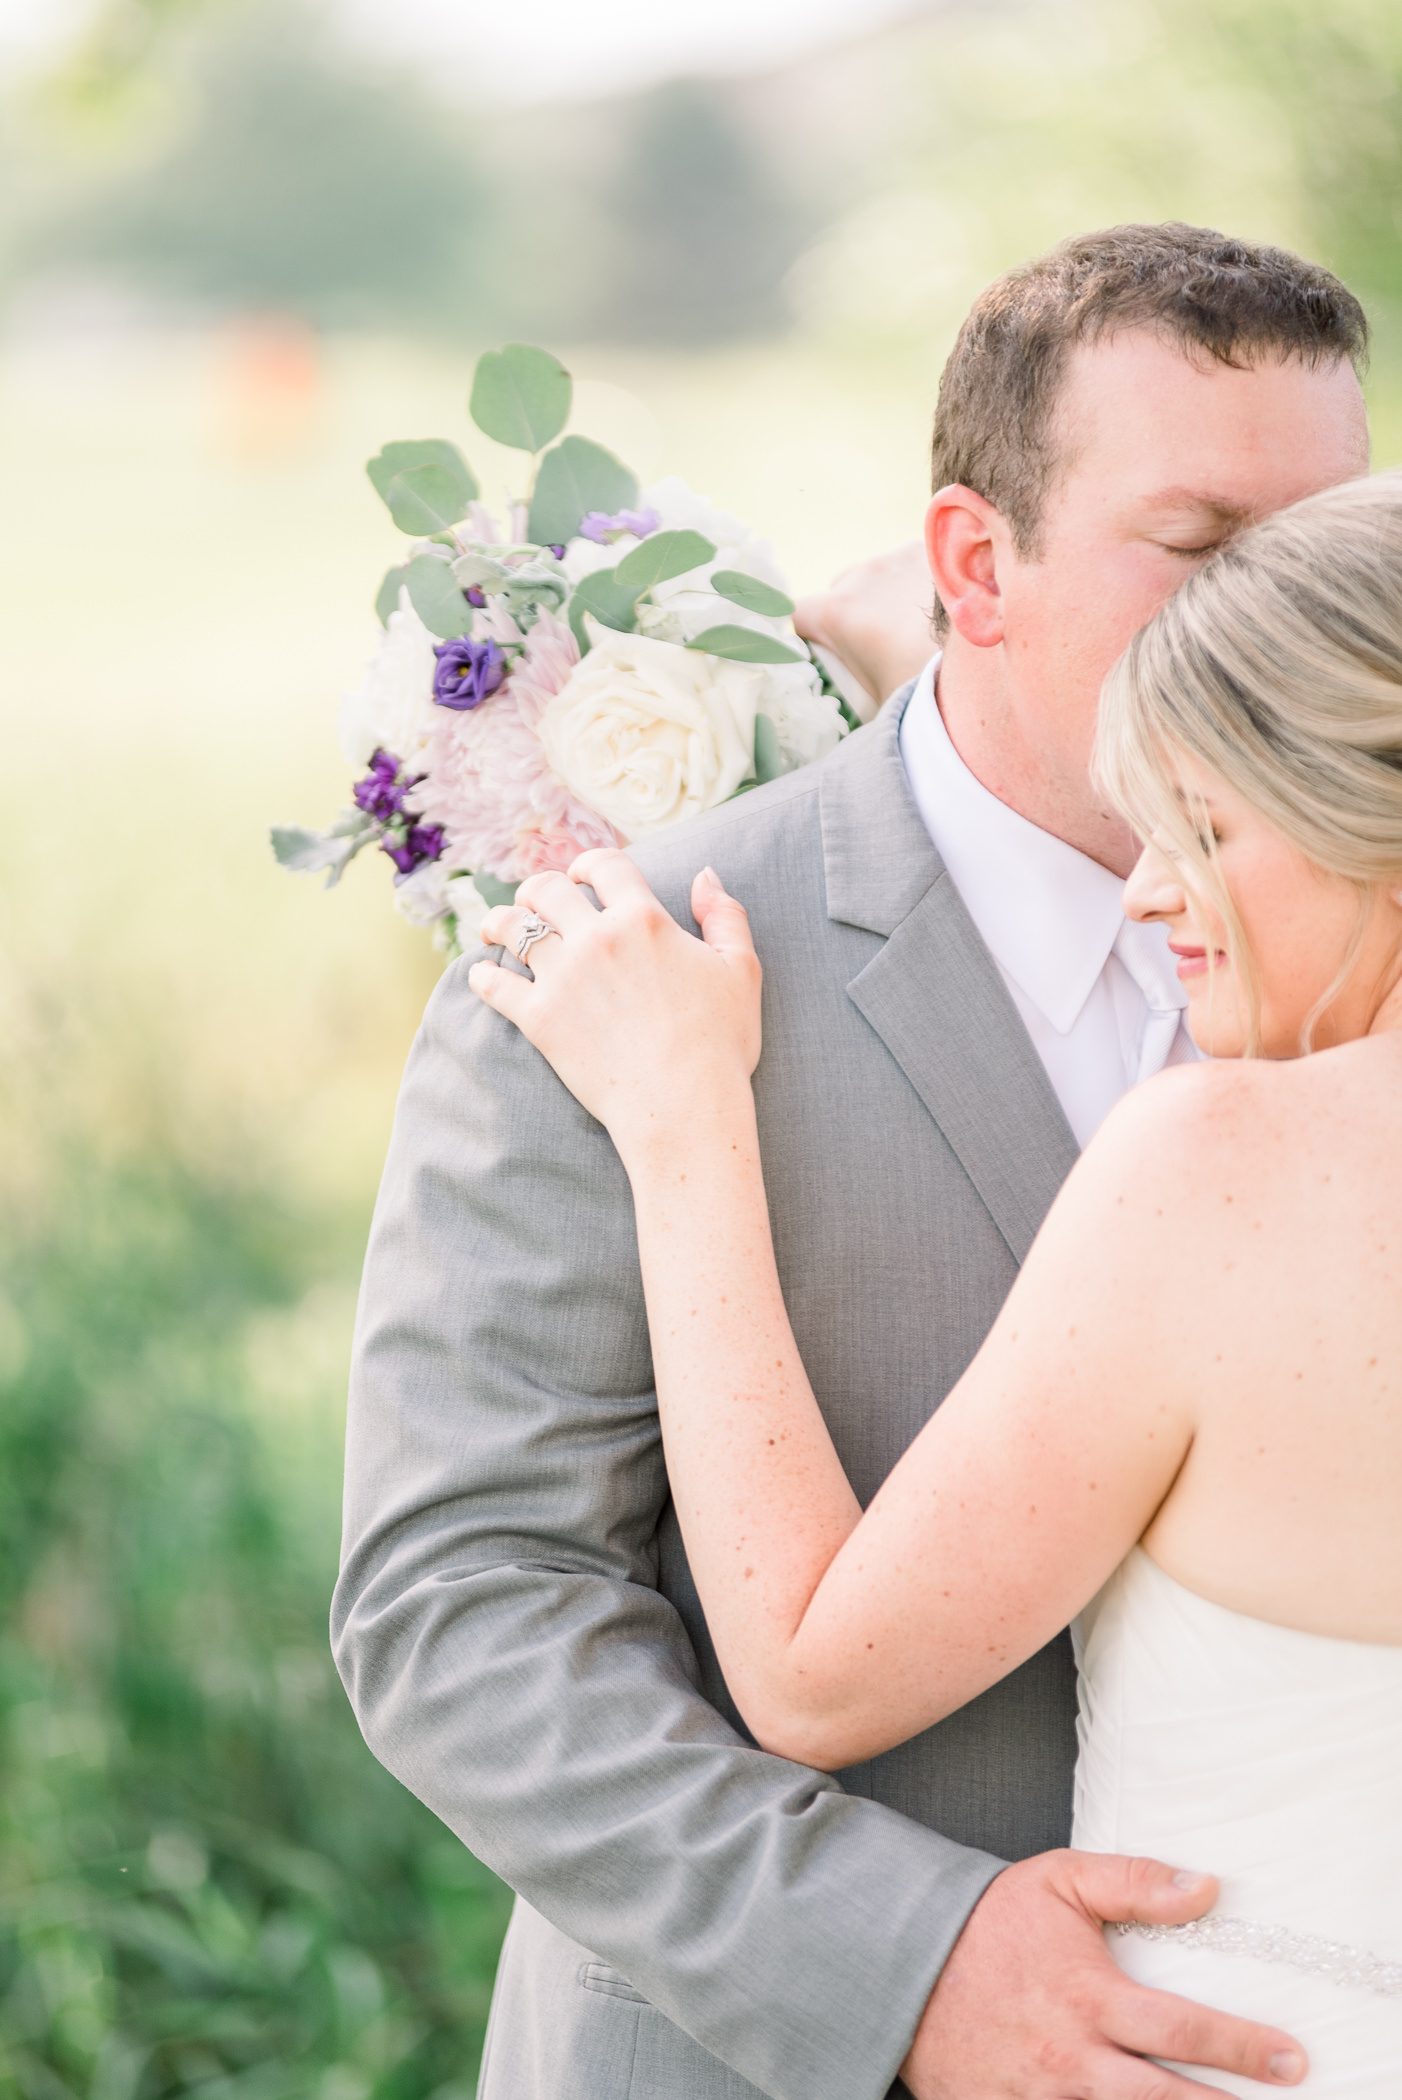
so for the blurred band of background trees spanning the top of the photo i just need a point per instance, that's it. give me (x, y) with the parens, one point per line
(268, 167)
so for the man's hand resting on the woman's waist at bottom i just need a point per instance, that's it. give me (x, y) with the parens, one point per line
(1032, 2004)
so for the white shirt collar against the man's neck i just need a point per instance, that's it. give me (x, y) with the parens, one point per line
(1046, 912)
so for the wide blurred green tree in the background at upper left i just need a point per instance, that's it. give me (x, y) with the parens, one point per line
(299, 186)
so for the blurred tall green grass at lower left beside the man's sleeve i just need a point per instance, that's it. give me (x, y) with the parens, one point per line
(207, 1883)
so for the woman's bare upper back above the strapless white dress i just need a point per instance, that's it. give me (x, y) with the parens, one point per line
(1279, 1324)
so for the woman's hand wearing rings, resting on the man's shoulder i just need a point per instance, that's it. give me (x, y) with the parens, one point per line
(643, 1024)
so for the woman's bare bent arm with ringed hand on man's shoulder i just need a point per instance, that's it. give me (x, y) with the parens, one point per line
(838, 1633)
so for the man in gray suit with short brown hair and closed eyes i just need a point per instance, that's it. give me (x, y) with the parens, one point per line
(952, 1007)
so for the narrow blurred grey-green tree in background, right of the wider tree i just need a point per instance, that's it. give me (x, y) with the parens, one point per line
(700, 228)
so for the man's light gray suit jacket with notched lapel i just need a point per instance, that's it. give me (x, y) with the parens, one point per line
(515, 1618)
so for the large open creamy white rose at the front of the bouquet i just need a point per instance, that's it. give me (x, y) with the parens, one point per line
(647, 734)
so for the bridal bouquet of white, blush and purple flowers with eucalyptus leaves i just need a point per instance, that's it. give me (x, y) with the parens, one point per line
(585, 671)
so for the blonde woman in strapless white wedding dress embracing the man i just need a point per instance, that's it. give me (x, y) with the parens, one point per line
(1185, 1431)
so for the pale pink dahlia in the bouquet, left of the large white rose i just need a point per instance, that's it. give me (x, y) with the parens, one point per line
(488, 780)
